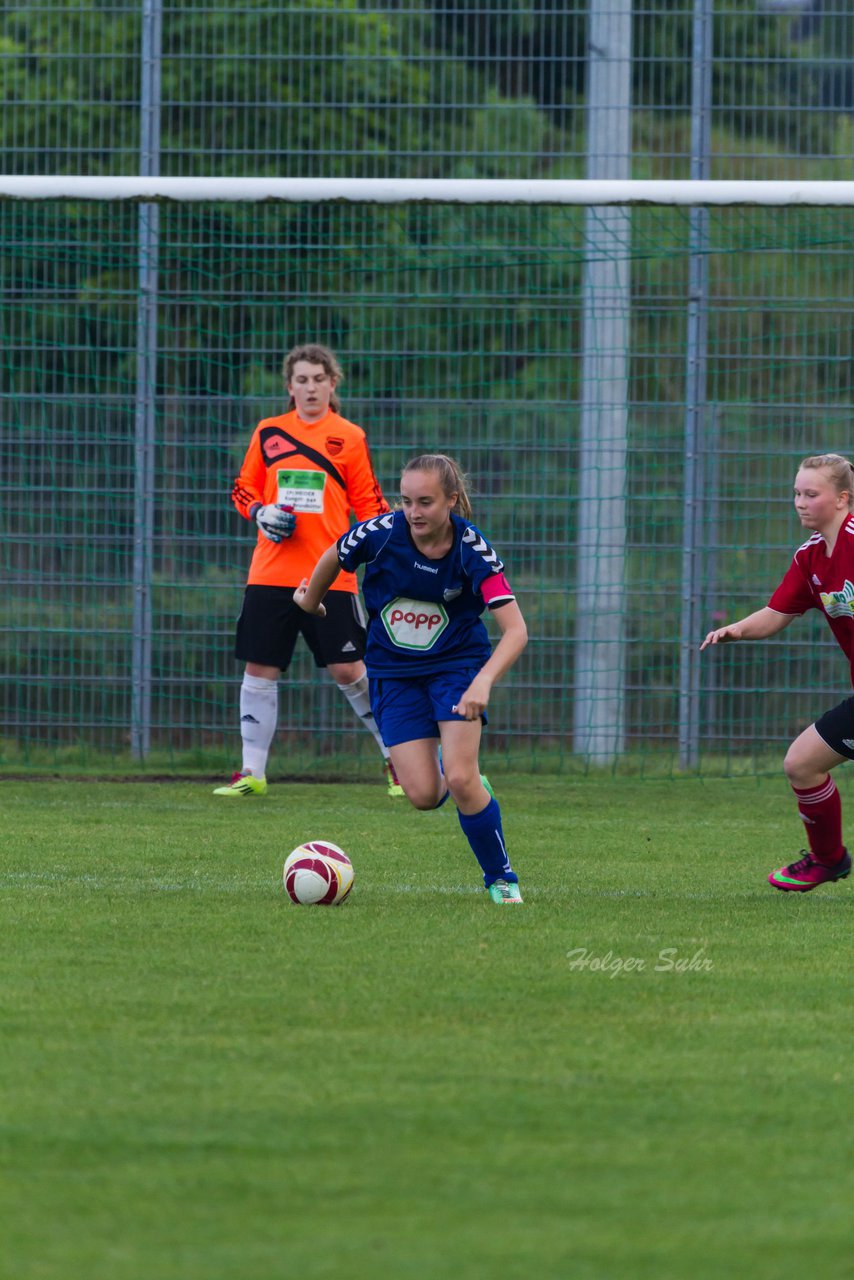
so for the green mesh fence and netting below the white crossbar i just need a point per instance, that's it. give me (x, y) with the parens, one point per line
(460, 330)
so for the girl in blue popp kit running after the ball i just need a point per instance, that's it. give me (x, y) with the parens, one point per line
(430, 575)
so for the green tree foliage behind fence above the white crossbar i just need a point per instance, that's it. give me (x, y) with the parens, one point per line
(331, 88)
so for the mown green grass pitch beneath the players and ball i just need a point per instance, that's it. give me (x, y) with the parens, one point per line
(642, 1073)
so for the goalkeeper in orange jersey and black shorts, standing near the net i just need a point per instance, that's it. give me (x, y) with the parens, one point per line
(304, 473)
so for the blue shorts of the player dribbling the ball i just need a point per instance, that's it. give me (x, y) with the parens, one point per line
(408, 710)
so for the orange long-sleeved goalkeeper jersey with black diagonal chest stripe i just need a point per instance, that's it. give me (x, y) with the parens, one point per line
(325, 472)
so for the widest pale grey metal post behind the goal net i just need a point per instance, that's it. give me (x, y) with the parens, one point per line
(601, 598)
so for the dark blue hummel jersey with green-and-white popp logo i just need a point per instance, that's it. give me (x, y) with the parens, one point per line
(424, 615)
